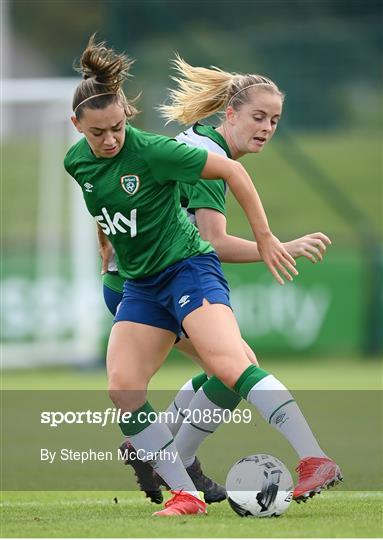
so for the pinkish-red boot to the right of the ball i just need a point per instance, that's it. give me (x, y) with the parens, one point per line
(315, 474)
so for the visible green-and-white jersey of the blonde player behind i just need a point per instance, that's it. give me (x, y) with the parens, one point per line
(205, 194)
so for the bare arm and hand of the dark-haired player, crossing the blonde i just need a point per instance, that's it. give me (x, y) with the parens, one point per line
(275, 256)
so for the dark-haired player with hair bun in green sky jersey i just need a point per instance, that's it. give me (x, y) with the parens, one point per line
(173, 278)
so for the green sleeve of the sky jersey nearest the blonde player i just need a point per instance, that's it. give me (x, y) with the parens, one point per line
(170, 161)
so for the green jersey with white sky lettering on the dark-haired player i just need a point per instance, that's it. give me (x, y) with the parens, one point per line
(134, 196)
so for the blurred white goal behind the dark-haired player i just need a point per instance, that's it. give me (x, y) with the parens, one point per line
(52, 310)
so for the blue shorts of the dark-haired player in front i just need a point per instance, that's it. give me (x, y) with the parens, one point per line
(165, 299)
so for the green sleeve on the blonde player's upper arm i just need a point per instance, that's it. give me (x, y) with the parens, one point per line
(207, 194)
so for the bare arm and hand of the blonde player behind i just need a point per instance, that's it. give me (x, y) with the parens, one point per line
(212, 226)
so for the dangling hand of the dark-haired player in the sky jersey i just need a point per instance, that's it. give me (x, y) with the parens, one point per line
(277, 258)
